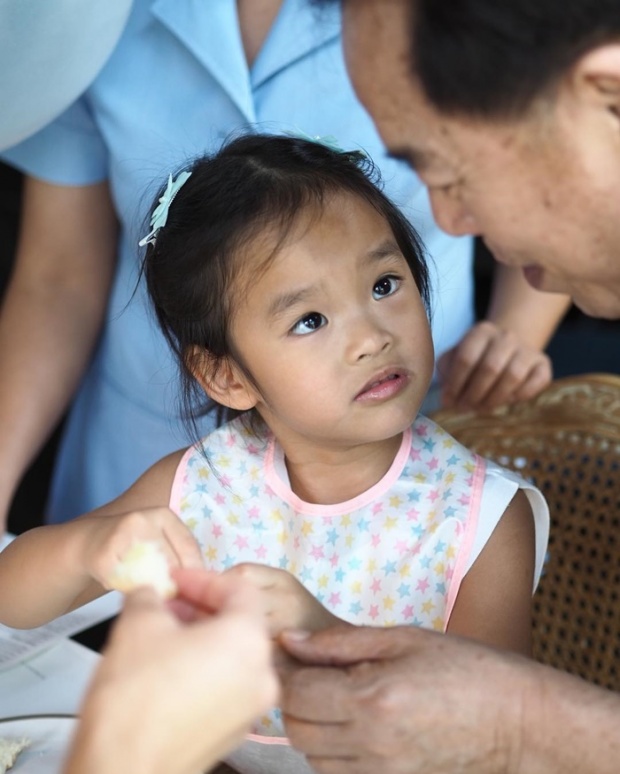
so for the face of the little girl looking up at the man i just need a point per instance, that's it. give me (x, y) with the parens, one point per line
(334, 332)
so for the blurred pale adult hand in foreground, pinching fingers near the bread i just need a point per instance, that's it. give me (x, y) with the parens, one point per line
(175, 694)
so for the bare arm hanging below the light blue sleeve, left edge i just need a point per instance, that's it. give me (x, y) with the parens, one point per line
(51, 315)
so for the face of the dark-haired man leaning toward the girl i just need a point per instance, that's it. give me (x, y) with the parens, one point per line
(542, 192)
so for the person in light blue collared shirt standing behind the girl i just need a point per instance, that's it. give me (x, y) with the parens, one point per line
(184, 77)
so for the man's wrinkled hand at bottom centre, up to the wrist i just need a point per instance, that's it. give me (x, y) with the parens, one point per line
(402, 700)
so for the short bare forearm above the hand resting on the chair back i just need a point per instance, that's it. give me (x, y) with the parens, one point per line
(517, 307)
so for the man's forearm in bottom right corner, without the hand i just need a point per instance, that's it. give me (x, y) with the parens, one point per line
(569, 727)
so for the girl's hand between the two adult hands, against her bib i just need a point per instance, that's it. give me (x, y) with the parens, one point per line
(286, 603)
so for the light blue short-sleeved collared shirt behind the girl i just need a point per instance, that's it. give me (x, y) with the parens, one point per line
(177, 85)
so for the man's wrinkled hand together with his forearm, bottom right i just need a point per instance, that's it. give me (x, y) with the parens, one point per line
(408, 701)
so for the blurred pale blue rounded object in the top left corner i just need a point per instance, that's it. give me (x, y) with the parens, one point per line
(50, 50)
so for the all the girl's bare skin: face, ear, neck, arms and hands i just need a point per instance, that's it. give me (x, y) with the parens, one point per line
(333, 323)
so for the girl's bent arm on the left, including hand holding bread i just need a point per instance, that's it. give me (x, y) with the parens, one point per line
(50, 570)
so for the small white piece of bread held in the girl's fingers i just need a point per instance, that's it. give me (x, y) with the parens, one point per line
(144, 564)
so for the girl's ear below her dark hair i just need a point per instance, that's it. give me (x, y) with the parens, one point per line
(223, 381)
